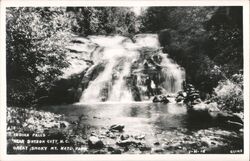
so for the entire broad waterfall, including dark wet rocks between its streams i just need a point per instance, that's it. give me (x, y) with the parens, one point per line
(127, 66)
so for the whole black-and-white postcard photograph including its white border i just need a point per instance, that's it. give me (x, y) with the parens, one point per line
(115, 80)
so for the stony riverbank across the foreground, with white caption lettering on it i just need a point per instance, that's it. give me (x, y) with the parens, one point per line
(112, 139)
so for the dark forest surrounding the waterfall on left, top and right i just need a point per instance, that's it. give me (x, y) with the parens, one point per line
(206, 41)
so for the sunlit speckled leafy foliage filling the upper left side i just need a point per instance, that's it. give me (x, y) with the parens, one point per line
(34, 49)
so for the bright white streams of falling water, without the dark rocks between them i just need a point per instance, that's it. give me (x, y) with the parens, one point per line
(119, 53)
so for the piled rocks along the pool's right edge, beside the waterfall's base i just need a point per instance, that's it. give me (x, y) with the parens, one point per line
(208, 108)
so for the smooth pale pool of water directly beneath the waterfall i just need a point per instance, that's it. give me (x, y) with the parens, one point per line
(137, 117)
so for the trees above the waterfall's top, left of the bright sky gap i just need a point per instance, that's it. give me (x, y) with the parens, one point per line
(104, 20)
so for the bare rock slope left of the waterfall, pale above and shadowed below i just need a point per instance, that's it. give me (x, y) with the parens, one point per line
(68, 88)
